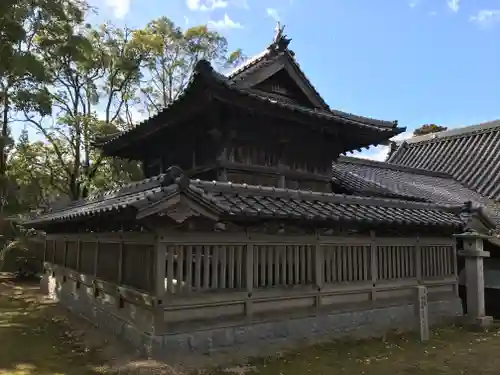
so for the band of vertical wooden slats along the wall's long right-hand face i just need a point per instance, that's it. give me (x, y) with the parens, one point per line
(194, 268)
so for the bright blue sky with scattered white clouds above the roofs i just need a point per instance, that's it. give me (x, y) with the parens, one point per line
(417, 61)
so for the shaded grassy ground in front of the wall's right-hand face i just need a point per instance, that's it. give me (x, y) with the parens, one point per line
(451, 350)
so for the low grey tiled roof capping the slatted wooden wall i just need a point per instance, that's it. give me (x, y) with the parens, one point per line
(237, 202)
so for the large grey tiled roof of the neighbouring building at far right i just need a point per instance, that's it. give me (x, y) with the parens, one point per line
(471, 155)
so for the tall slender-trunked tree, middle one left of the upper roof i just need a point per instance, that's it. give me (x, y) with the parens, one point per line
(91, 77)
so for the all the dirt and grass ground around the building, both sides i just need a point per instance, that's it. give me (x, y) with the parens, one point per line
(39, 337)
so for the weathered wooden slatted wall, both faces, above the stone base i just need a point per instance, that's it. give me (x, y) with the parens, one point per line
(196, 277)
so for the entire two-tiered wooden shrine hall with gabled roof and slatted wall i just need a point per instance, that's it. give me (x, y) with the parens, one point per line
(240, 234)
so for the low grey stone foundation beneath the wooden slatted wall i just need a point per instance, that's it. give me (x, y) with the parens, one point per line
(245, 338)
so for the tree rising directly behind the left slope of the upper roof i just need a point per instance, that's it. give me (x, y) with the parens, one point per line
(171, 55)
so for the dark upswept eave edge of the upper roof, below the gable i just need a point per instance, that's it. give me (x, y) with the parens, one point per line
(206, 85)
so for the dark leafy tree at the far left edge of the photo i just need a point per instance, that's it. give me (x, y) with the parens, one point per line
(23, 75)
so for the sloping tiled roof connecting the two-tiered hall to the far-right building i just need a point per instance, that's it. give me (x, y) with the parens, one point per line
(373, 178)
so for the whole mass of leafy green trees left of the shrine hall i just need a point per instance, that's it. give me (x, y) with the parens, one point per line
(73, 82)
